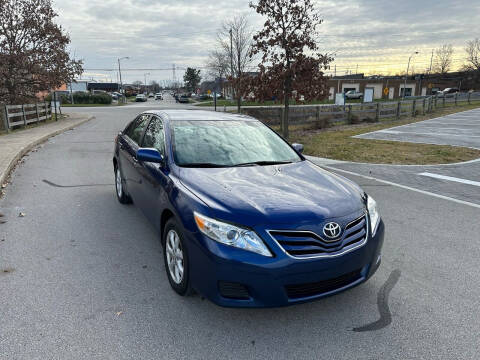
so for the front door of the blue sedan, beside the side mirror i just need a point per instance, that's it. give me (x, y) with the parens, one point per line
(154, 177)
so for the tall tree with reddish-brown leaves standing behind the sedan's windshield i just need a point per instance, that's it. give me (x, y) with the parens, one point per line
(289, 50)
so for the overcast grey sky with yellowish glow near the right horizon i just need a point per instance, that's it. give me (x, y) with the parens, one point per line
(378, 35)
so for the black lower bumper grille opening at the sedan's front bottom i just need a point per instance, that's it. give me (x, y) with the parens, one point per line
(297, 291)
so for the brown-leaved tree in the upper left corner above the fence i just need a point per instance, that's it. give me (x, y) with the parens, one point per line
(33, 50)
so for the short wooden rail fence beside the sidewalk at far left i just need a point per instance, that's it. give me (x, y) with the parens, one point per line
(22, 115)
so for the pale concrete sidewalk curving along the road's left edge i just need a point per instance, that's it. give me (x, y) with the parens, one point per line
(14, 146)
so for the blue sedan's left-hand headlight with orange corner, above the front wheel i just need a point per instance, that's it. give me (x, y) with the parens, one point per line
(231, 235)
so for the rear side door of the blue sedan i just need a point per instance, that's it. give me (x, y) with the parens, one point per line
(129, 144)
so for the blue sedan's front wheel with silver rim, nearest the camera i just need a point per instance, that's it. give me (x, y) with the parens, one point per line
(175, 257)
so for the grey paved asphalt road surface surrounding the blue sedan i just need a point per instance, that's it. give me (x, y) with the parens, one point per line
(82, 277)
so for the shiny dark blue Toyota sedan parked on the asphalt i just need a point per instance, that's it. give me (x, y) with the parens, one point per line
(244, 219)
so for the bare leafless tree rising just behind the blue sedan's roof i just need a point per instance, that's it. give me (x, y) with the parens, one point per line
(235, 42)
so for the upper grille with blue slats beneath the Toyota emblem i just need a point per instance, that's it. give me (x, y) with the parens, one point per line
(306, 243)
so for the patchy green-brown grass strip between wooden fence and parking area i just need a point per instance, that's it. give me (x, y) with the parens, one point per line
(337, 143)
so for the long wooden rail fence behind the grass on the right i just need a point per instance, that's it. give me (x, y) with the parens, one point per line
(322, 115)
